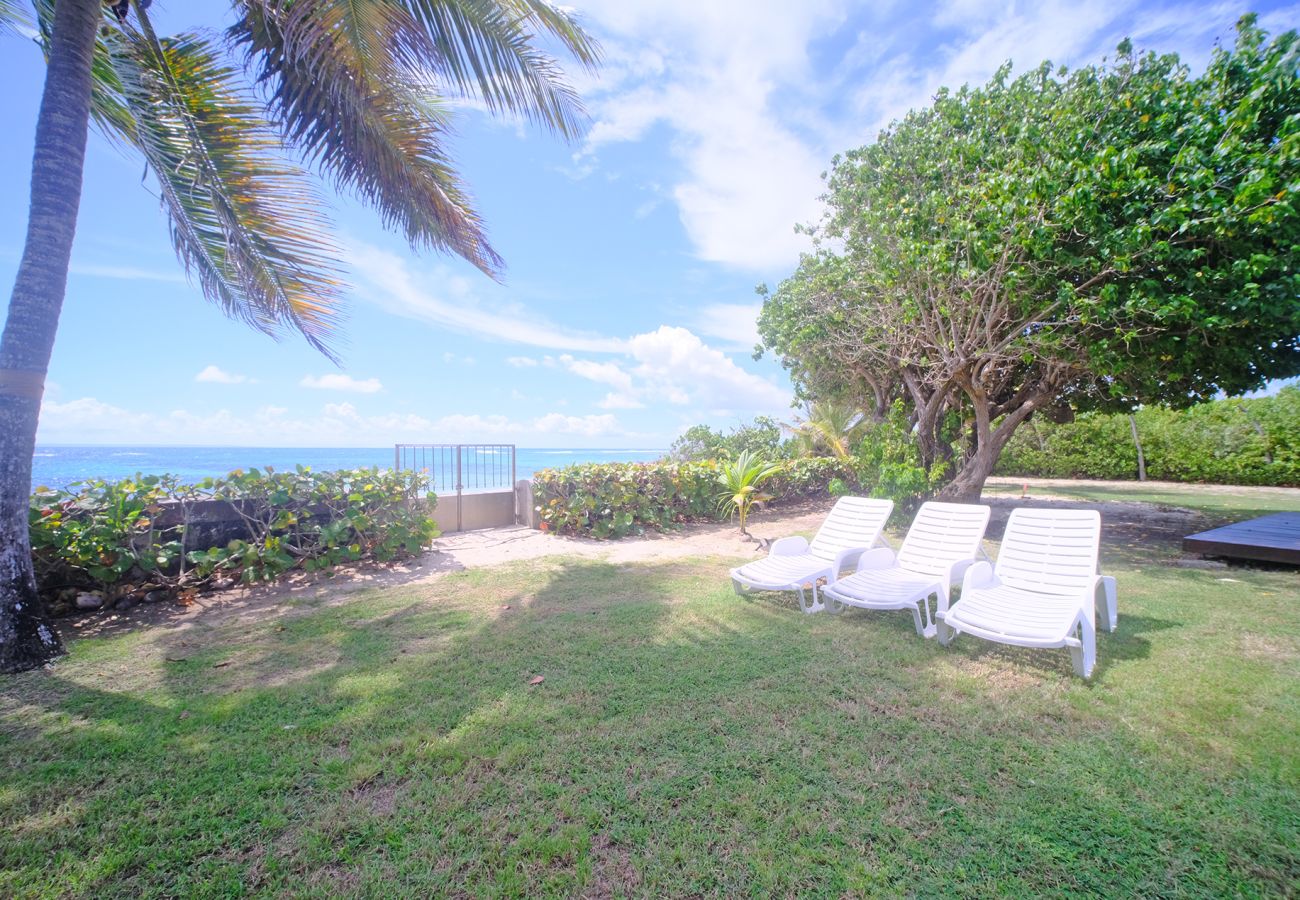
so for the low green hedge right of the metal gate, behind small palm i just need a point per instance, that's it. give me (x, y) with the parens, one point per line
(614, 500)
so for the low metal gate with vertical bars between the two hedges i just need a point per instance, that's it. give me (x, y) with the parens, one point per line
(475, 474)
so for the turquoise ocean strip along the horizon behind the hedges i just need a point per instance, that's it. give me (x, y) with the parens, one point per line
(59, 466)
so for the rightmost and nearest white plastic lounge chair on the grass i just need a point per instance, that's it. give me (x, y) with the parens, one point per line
(1043, 591)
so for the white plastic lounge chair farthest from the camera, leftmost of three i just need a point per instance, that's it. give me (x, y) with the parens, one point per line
(792, 564)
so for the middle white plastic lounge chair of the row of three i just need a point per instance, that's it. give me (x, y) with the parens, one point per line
(943, 543)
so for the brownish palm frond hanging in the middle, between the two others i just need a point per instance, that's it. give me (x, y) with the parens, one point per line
(349, 86)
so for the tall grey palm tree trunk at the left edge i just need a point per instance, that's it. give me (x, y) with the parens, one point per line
(27, 638)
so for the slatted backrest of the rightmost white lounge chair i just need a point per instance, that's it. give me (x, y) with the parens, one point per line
(1050, 552)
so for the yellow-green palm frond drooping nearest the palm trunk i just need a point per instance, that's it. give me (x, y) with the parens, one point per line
(245, 222)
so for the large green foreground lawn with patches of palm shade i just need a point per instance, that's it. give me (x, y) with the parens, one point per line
(684, 742)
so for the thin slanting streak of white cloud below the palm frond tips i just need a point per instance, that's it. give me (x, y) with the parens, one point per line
(388, 282)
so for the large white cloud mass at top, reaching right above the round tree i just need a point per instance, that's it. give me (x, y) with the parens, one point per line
(757, 99)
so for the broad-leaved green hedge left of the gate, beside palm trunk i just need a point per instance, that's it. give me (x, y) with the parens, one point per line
(107, 536)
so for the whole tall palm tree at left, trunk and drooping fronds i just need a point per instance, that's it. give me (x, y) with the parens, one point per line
(357, 89)
